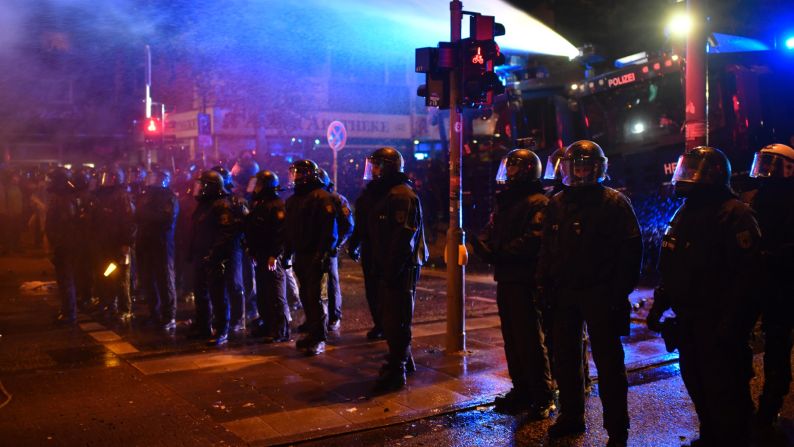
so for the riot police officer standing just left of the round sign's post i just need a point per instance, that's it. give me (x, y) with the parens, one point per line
(311, 237)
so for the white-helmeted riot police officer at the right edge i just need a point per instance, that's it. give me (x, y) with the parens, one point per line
(773, 203)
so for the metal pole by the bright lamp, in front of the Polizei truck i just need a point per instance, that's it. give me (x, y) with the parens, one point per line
(695, 103)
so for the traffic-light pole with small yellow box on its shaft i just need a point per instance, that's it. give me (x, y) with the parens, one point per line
(455, 251)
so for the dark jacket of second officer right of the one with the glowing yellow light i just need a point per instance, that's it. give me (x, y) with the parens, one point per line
(215, 231)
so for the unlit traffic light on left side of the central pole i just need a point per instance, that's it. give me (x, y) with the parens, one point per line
(435, 63)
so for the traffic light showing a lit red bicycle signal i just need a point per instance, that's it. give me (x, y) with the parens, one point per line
(478, 56)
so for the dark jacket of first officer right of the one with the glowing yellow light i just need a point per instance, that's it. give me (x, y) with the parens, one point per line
(156, 216)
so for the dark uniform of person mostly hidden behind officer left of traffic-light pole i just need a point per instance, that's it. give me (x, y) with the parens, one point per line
(360, 246)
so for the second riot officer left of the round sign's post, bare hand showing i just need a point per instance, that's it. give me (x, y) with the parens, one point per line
(265, 240)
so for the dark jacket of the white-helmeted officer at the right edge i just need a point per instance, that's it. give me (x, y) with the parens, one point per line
(773, 203)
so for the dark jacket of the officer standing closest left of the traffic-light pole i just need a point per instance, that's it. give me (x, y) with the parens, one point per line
(394, 227)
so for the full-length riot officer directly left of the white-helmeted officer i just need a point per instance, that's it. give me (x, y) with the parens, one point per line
(707, 263)
